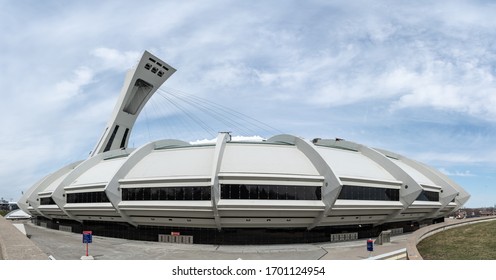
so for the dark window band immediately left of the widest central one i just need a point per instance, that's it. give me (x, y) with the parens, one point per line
(167, 193)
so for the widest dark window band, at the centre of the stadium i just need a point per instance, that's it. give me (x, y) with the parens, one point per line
(277, 192)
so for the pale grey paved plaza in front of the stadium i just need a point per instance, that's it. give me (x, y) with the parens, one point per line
(68, 246)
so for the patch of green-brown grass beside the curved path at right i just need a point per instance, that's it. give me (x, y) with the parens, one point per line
(471, 242)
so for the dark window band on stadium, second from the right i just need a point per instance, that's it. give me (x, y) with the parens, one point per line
(369, 193)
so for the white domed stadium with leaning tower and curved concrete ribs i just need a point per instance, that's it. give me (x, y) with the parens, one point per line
(283, 189)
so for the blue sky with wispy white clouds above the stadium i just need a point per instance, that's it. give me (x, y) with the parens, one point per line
(414, 77)
